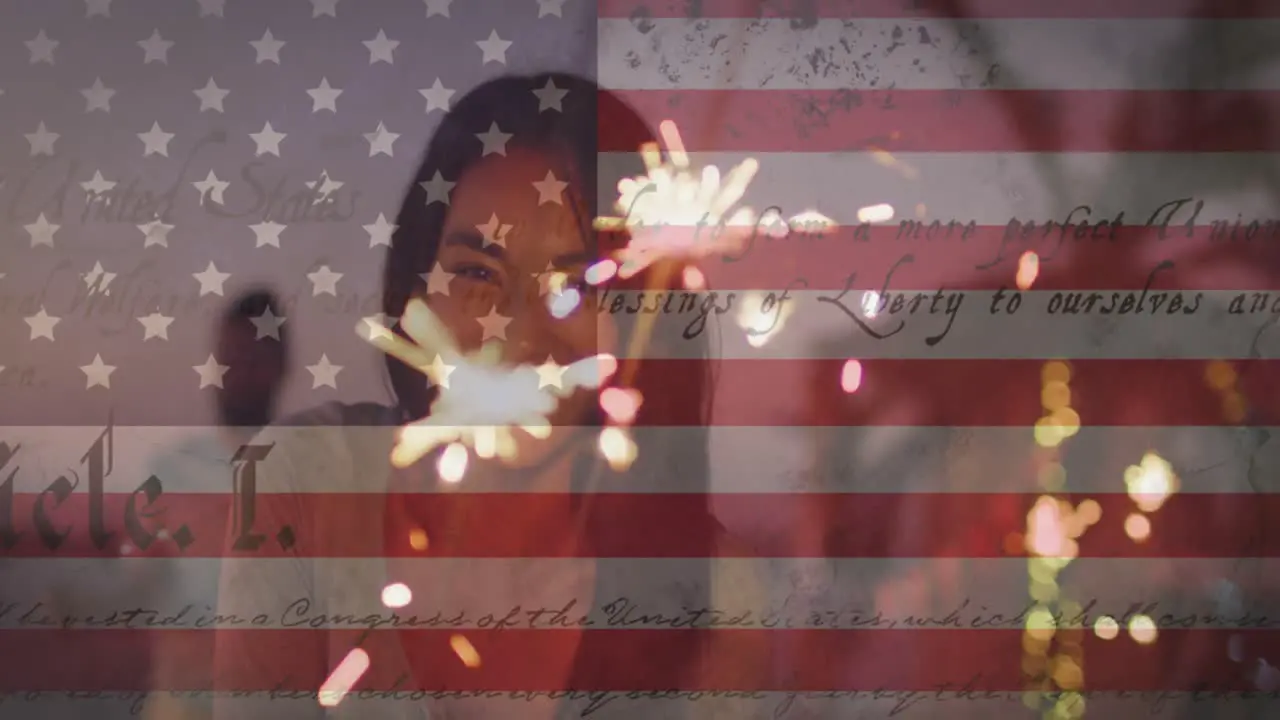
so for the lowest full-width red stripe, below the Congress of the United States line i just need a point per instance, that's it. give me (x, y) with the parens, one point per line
(533, 660)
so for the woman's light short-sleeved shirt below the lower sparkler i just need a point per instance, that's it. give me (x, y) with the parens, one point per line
(341, 576)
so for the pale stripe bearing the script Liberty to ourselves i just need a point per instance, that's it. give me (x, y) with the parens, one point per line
(820, 327)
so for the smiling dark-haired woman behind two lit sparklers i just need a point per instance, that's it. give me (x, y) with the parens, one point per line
(345, 449)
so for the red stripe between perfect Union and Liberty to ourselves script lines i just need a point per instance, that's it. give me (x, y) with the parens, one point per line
(1086, 256)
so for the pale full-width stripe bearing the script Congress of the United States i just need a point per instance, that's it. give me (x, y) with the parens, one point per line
(849, 594)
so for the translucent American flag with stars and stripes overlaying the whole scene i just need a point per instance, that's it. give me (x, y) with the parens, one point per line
(995, 372)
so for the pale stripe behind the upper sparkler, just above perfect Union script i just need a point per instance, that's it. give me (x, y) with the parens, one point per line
(989, 189)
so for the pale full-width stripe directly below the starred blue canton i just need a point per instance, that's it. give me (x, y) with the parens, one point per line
(746, 461)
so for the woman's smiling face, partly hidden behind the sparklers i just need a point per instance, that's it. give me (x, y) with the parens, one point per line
(510, 229)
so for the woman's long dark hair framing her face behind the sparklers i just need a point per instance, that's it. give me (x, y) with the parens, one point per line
(673, 439)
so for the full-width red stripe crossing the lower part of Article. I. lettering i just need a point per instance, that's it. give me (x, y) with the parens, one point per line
(621, 526)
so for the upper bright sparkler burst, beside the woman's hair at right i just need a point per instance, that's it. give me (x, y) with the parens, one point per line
(670, 195)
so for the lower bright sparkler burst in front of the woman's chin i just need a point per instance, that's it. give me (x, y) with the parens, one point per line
(483, 403)
